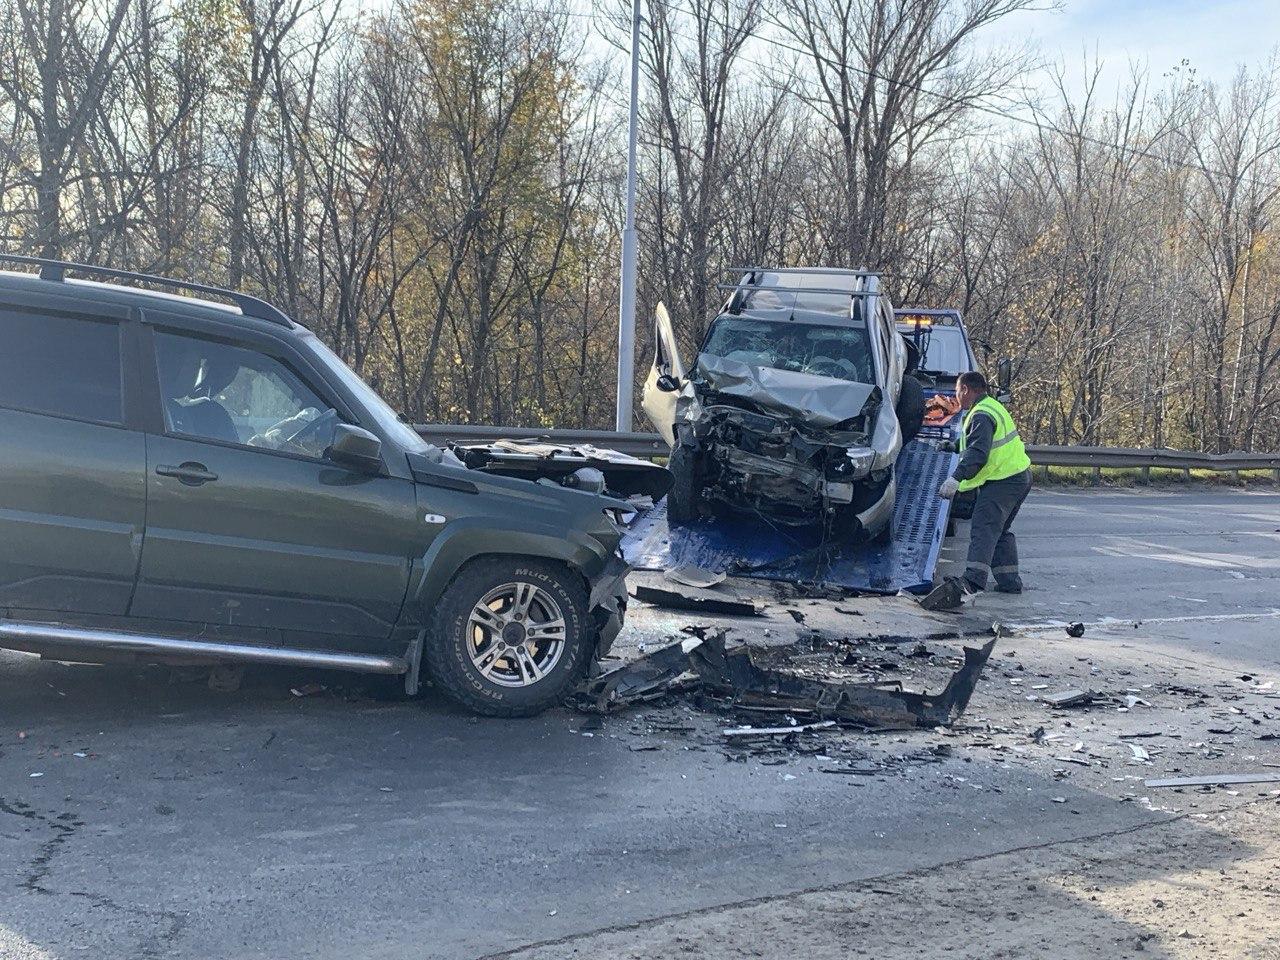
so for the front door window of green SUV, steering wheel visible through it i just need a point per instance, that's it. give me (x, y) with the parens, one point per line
(214, 391)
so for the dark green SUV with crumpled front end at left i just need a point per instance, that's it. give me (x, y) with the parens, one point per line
(186, 481)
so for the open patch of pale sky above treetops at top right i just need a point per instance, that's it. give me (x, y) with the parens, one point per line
(1214, 35)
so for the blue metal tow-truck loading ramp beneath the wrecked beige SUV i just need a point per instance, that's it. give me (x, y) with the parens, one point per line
(755, 548)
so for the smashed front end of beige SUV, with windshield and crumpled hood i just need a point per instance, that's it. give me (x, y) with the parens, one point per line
(787, 422)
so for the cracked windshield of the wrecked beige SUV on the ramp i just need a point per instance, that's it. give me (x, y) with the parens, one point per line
(840, 353)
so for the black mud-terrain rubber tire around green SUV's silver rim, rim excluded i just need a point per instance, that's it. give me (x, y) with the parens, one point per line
(450, 665)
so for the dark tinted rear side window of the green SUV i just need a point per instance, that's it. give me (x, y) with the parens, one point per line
(61, 367)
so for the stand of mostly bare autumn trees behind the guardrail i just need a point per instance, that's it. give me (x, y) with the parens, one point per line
(436, 189)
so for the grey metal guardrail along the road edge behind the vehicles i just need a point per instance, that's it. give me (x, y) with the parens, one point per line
(639, 445)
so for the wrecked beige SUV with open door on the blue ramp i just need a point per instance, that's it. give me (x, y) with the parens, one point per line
(797, 408)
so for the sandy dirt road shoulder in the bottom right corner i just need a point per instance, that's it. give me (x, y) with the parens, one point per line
(1194, 888)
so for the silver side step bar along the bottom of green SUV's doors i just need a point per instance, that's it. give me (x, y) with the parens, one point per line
(40, 638)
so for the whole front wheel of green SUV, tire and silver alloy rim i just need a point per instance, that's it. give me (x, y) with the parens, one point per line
(511, 637)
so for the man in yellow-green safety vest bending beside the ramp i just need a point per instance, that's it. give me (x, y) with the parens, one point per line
(995, 464)
